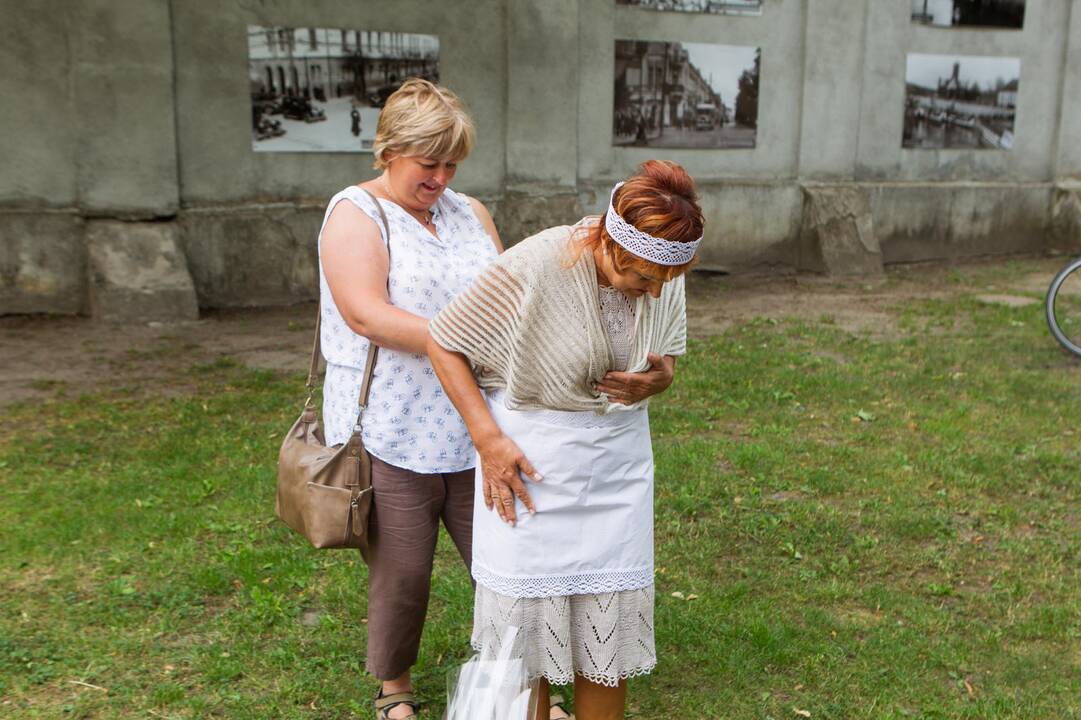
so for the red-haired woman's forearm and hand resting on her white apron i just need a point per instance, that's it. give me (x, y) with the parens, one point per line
(502, 461)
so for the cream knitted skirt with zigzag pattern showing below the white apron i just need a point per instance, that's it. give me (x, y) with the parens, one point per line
(606, 637)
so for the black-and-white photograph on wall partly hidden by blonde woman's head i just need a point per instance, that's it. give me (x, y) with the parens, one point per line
(321, 90)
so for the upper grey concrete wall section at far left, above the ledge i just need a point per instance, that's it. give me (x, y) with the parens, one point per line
(88, 118)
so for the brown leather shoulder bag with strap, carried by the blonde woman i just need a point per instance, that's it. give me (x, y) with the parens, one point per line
(326, 494)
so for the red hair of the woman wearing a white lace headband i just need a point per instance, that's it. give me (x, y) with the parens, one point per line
(660, 199)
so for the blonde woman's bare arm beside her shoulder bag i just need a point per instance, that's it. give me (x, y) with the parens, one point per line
(356, 264)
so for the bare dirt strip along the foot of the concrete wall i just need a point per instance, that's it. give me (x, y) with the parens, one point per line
(42, 357)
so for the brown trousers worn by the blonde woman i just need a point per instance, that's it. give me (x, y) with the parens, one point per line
(403, 534)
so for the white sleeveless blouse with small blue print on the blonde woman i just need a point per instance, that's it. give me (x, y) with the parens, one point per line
(410, 422)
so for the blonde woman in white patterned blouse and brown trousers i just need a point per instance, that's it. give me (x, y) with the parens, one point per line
(422, 456)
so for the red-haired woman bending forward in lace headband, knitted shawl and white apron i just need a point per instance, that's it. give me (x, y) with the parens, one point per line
(527, 356)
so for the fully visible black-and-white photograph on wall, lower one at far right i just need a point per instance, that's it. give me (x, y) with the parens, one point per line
(960, 102)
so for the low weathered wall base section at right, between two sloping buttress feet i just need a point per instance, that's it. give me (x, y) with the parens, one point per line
(927, 222)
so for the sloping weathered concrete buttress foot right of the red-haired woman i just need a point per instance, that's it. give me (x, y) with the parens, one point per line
(837, 234)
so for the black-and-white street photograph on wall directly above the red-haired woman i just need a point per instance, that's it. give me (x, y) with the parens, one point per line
(686, 95)
